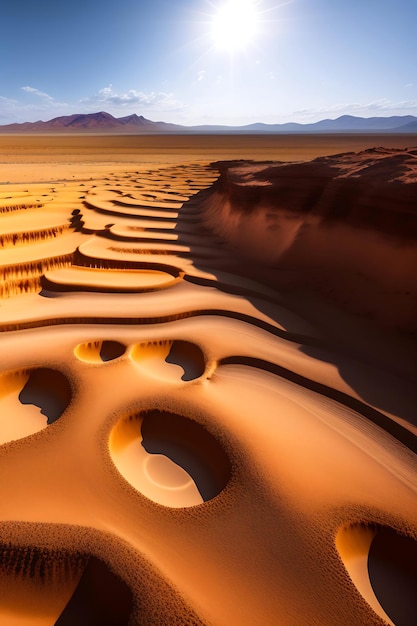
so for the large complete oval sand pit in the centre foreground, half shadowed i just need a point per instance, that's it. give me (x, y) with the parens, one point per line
(170, 459)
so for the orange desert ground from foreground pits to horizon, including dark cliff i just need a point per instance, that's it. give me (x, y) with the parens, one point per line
(207, 382)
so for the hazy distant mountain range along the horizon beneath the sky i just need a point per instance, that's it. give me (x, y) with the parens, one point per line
(103, 122)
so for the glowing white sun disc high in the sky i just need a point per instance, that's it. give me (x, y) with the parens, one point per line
(235, 25)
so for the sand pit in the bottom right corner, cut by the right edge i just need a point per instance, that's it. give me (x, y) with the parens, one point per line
(383, 565)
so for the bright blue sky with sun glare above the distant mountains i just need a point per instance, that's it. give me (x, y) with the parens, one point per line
(305, 59)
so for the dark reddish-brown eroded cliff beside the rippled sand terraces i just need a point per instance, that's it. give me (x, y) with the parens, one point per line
(343, 226)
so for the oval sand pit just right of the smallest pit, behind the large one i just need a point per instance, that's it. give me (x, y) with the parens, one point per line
(170, 359)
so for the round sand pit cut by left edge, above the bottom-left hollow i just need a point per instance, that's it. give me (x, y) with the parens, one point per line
(30, 400)
